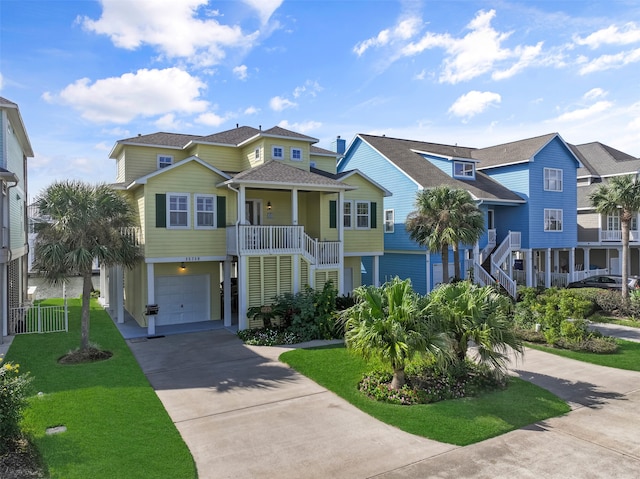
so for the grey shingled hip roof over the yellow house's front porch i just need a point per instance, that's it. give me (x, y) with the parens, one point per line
(275, 173)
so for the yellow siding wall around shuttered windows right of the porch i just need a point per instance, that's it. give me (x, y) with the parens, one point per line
(369, 239)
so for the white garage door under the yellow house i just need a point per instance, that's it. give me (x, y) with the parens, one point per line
(182, 299)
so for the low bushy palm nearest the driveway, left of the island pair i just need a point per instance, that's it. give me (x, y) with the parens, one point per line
(387, 323)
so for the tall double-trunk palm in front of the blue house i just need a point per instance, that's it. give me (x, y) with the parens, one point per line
(444, 217)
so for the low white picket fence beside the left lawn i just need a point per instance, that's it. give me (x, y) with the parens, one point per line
(28, 319)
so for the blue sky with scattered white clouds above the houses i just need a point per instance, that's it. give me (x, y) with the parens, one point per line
(86, 73)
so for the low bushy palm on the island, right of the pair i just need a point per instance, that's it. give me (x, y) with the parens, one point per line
(468, 312)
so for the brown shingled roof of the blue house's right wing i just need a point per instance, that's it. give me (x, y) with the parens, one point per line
(521, 151)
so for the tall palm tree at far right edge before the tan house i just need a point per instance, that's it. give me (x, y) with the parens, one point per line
(620, 195)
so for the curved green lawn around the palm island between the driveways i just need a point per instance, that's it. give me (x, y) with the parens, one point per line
(461, 421)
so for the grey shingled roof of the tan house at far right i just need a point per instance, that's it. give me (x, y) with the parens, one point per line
(602, 160)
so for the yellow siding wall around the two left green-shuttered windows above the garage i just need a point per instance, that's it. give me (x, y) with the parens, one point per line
(163, 242)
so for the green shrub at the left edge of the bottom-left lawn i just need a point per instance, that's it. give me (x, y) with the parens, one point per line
(14, 388)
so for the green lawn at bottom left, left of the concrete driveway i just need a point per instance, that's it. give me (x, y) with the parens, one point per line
(116, 425)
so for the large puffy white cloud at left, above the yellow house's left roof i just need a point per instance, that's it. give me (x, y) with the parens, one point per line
(145, 93)
